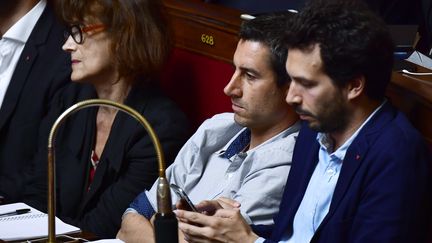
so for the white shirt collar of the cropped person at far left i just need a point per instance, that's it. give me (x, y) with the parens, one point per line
(22, 29)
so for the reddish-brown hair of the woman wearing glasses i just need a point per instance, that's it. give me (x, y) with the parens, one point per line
(141, 37)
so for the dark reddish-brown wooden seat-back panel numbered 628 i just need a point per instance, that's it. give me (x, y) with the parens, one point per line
(208, 29)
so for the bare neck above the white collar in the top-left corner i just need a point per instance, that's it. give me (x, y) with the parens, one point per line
(12, 11)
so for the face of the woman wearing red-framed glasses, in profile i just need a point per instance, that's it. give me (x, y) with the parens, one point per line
(92, 60)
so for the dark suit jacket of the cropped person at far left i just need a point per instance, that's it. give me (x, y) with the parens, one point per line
(42, 69)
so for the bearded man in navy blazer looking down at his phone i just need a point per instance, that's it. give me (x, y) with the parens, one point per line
(360, 172)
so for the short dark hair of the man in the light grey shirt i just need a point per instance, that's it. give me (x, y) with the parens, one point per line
(268, 30)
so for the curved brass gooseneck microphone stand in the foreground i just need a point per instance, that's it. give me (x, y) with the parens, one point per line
(165, 225)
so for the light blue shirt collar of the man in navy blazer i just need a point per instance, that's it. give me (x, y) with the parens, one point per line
(326, 143)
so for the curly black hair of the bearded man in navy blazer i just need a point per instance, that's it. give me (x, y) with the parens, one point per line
(353, 42)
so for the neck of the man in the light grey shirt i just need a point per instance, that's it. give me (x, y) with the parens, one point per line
(261, 134)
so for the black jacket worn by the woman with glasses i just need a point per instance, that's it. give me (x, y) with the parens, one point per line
(127, 166)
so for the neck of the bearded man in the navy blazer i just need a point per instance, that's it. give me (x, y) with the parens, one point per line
(359, 115)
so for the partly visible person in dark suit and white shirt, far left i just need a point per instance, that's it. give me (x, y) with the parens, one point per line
(32, 68)
